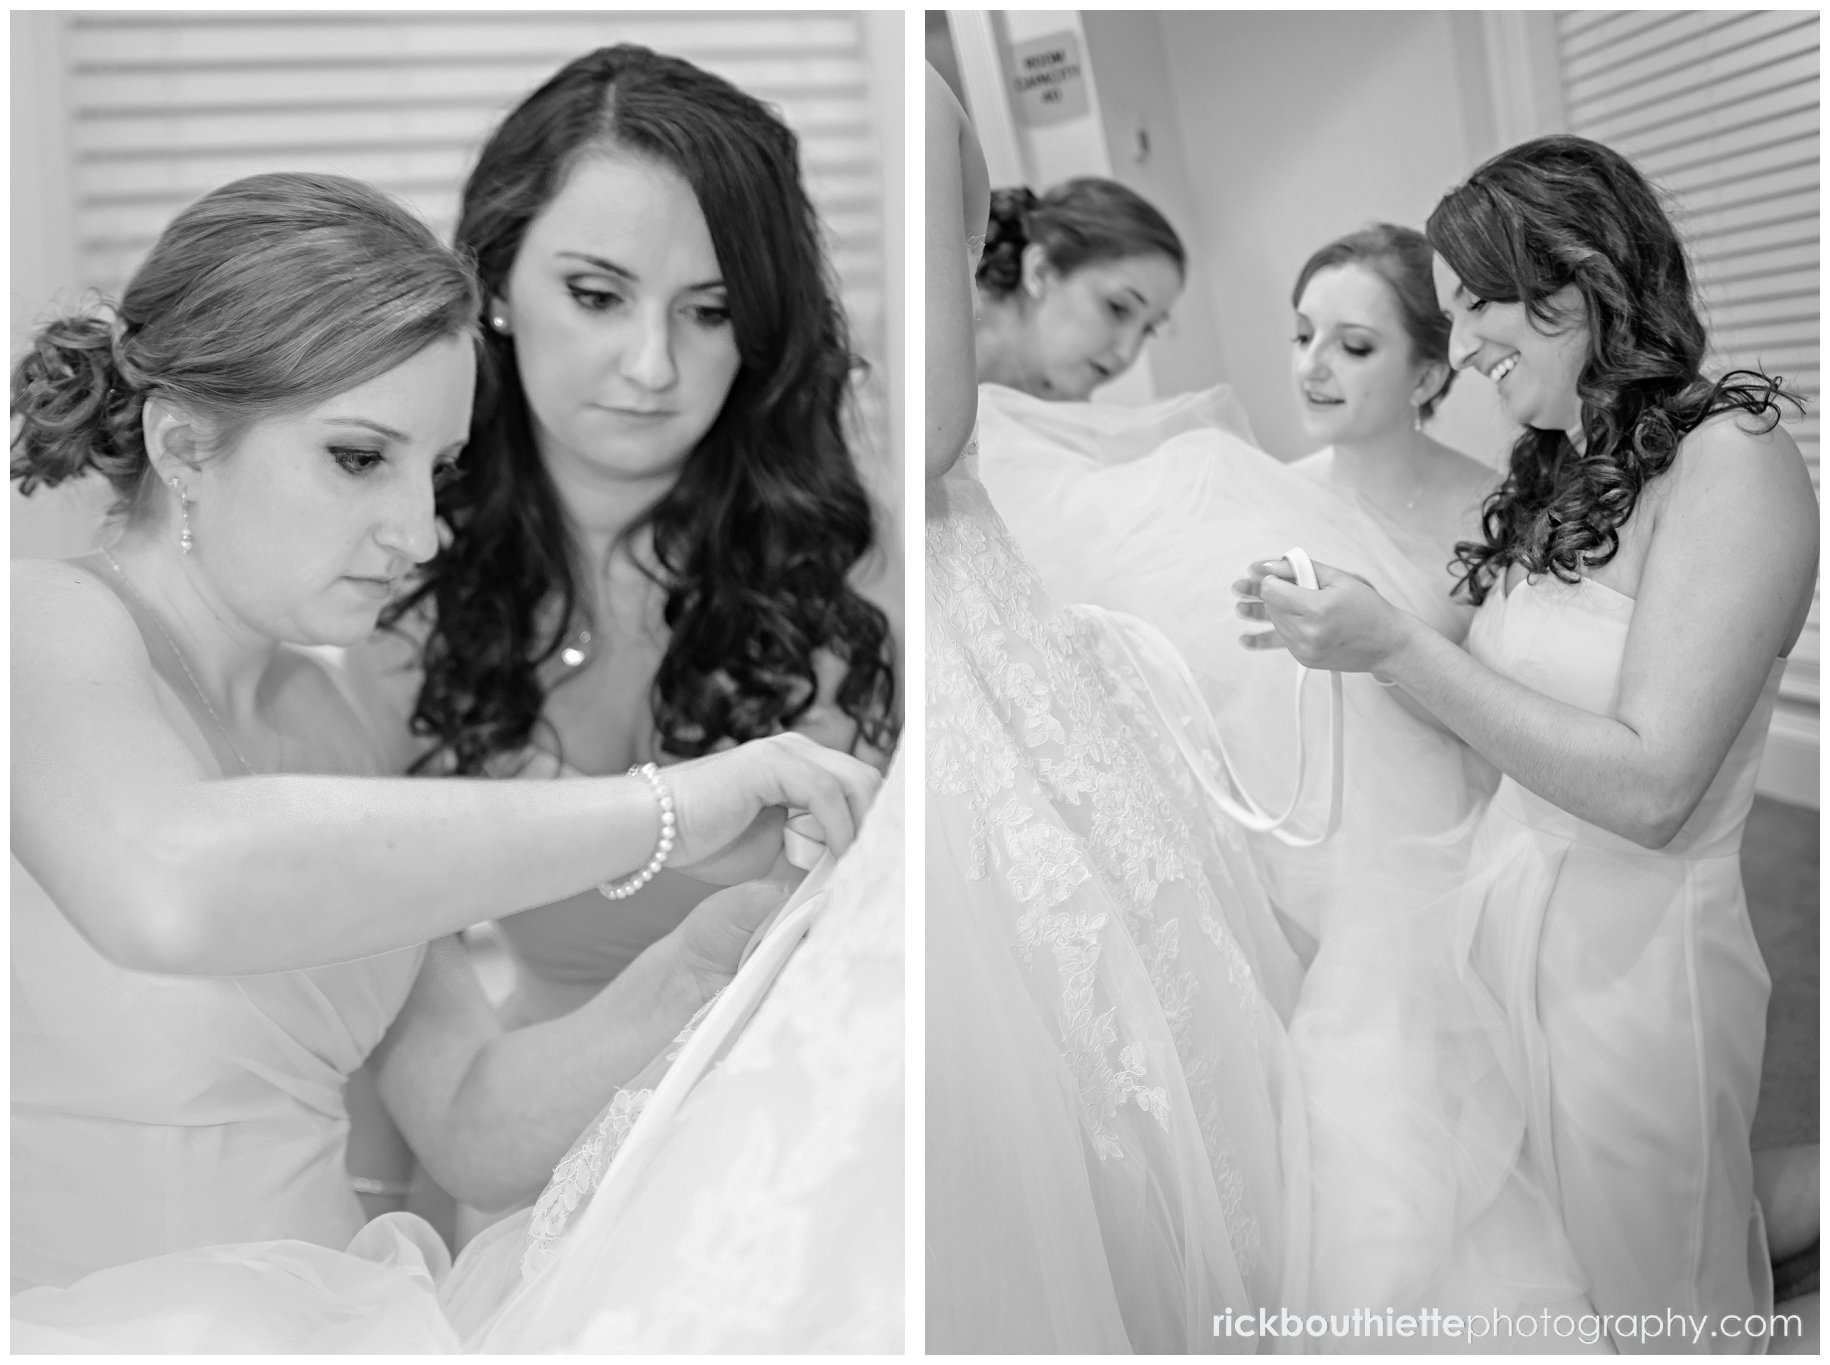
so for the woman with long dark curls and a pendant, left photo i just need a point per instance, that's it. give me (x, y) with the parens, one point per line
(660, 535)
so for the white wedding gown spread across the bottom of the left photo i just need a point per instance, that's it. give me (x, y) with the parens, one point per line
(768, 1216)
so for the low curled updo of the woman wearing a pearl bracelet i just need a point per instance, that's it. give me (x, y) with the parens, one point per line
(268, 296)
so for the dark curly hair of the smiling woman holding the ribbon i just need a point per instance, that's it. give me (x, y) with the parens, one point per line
(1567, 211)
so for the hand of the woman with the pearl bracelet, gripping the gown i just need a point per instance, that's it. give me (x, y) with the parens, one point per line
(729, 808)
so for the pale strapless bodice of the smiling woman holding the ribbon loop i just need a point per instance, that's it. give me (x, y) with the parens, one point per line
(1569, 643)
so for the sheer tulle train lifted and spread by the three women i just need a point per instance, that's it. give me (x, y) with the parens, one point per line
(1425, 1192)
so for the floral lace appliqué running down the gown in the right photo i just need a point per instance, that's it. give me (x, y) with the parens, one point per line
(1020, 687)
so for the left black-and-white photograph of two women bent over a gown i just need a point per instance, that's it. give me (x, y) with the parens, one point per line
(458, 603)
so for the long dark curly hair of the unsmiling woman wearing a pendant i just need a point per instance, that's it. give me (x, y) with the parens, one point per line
(757, 537)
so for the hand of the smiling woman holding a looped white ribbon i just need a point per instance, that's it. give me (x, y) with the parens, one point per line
(1342, 627)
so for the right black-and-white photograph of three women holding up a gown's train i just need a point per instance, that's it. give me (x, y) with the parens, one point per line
(1372, 682)
